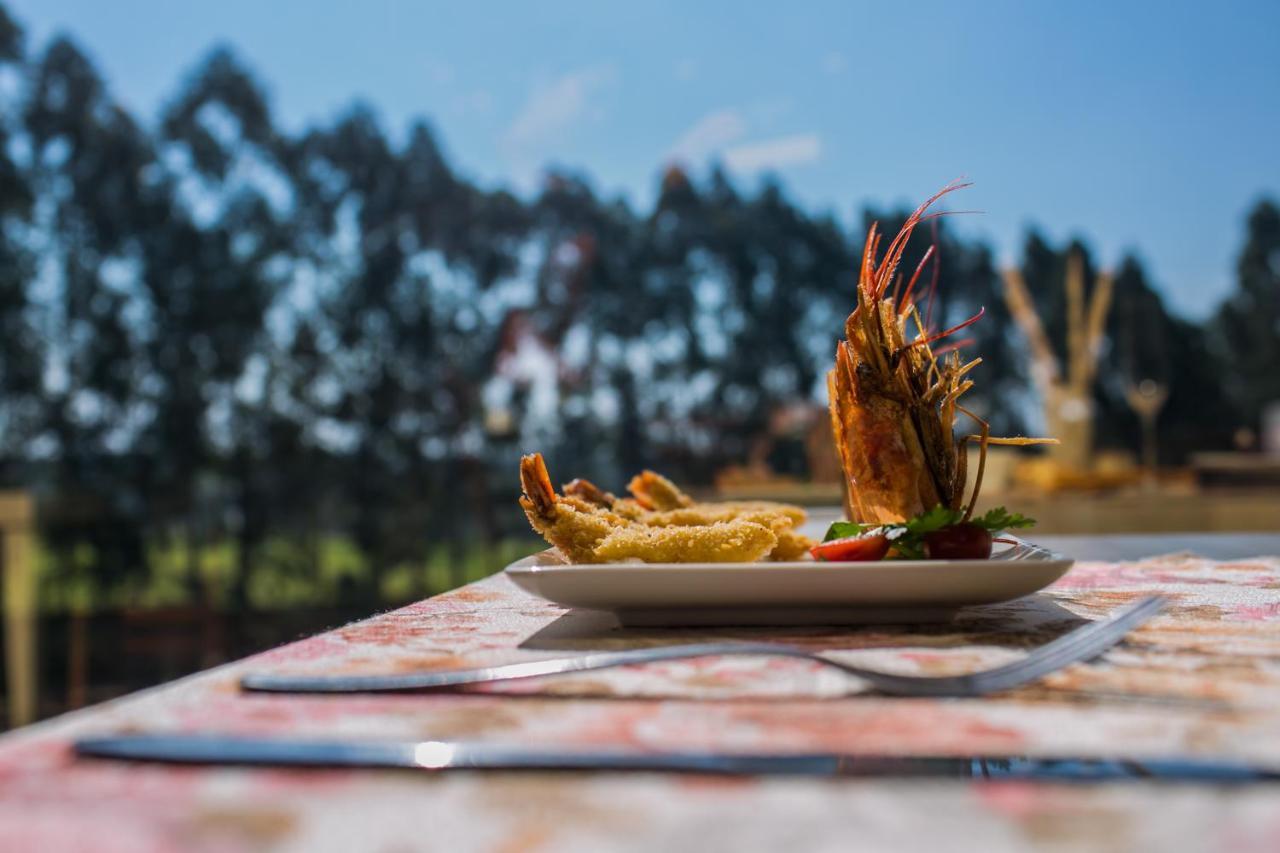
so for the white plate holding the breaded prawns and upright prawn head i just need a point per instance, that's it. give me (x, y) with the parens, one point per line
(789, 594)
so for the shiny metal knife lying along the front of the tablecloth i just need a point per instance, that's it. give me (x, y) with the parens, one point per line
(445, 755)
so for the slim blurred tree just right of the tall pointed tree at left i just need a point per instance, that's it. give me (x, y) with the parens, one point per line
(351, 193)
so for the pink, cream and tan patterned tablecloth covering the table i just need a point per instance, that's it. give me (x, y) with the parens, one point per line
(1203, 679)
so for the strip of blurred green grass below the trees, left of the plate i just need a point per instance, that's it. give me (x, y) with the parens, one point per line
(289, 573)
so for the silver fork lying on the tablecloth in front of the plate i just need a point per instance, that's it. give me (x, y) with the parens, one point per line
(1082, 645)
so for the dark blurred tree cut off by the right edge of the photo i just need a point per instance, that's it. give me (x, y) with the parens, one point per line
(1247, 327)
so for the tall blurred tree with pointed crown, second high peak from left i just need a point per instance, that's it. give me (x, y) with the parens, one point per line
(214, 267)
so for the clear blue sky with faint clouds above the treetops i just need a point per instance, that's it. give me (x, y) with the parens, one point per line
(1140, 126)
